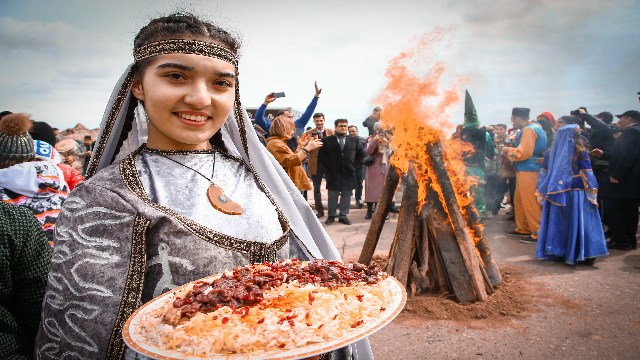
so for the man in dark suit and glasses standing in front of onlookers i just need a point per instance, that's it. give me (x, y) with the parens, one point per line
(340, 155)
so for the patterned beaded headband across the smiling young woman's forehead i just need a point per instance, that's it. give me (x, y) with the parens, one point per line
(185, 47)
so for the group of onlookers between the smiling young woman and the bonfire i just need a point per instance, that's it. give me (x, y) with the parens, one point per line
(339, 156)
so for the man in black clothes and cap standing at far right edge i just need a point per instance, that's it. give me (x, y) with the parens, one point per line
(622, 195)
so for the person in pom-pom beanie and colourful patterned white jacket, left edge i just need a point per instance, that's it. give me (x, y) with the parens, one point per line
(25, 180)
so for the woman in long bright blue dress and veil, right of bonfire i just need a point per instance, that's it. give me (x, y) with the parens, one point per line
(570, 227)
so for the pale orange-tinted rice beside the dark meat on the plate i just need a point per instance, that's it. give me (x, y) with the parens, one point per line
(290, 316)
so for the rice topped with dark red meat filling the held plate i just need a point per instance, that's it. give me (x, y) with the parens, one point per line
(265, 307)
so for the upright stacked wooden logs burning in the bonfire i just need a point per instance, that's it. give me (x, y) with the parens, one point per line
(433, 248)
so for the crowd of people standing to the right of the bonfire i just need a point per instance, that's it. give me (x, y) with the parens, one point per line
(567, 179)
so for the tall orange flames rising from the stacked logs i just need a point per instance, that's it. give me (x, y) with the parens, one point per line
(416, 108)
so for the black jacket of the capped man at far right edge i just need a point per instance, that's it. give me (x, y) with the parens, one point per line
(624, 165)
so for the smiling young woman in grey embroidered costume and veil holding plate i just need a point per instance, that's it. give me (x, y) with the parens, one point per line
(179, 188)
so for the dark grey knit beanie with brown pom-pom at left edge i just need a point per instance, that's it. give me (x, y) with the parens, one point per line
(16, 145)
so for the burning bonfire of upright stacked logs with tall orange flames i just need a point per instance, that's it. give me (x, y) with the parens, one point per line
(439, 242)
